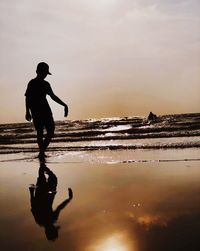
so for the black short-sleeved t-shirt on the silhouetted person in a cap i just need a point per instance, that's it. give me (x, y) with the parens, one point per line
(36, 94)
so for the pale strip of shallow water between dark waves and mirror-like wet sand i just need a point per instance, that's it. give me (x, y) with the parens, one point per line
(108, 156)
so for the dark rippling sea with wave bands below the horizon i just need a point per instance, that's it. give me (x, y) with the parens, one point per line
(167, 132)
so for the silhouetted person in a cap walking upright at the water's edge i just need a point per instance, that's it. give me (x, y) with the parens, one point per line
(38, 109)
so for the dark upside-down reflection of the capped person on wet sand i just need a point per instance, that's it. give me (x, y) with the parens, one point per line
(42, 196)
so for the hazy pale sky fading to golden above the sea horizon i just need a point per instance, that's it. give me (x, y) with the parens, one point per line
(108, 58)
